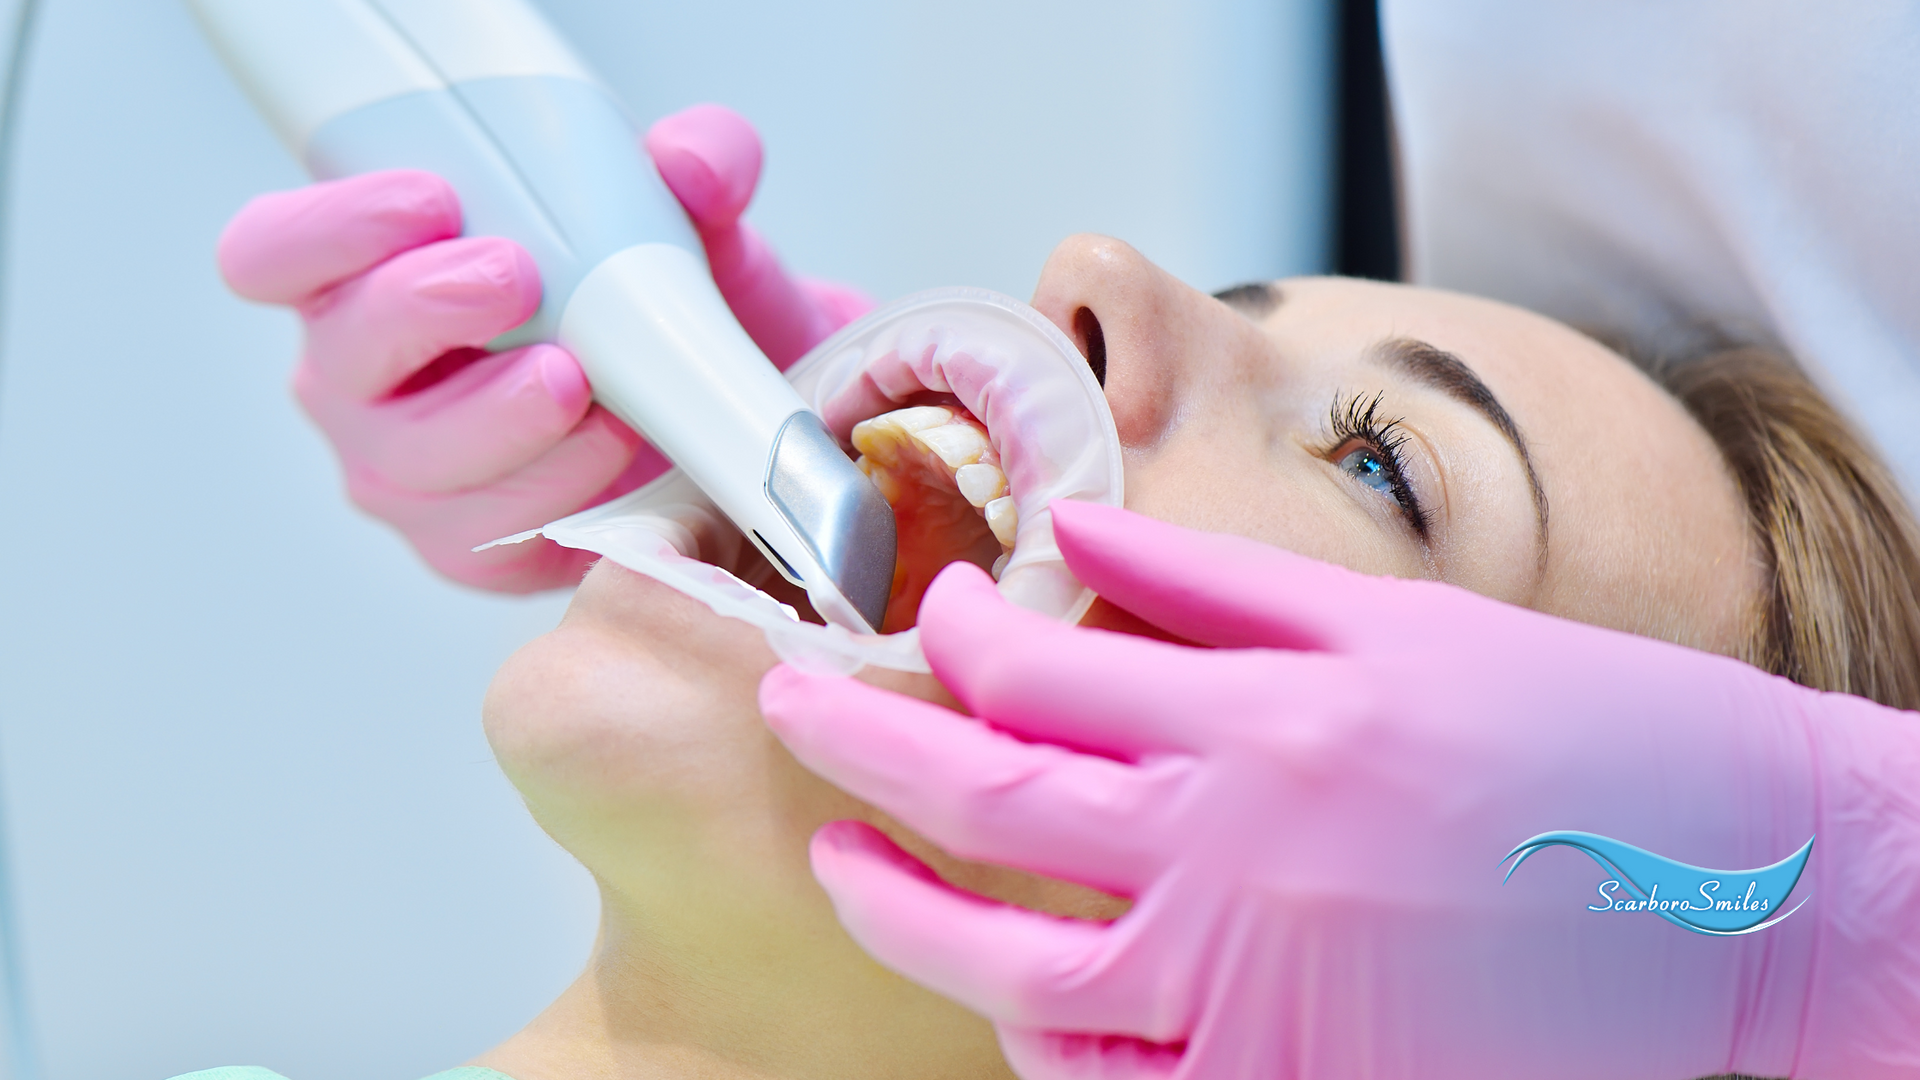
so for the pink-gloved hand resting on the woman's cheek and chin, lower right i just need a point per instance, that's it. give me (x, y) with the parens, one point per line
(1312, 820)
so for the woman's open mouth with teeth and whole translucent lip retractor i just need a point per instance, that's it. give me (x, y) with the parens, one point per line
(969, 410)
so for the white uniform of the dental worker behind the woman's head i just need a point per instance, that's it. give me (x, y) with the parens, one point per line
(1656, 172)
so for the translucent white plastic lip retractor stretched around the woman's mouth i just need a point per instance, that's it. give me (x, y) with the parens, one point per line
(1003, 362)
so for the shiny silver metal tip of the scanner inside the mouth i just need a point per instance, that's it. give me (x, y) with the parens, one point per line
(838, 512)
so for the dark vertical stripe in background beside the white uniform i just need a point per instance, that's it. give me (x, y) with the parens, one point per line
(1366, 207)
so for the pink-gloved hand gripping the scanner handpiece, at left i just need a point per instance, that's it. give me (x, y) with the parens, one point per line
(456, 447)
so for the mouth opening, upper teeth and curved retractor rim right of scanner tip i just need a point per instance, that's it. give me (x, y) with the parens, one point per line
(972, 414)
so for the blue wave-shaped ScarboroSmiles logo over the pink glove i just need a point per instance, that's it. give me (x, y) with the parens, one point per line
(1706, 902)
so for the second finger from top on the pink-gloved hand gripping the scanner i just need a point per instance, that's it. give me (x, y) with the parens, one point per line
(375, 331)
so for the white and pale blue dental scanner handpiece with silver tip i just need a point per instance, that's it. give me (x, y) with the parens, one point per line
(487, 95)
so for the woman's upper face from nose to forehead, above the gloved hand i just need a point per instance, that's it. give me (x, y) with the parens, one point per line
(1537, 468)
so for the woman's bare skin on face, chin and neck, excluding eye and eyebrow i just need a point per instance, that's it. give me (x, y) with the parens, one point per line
(633, 729)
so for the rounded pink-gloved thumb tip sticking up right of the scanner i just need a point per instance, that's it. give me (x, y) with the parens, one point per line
(711, 160)
